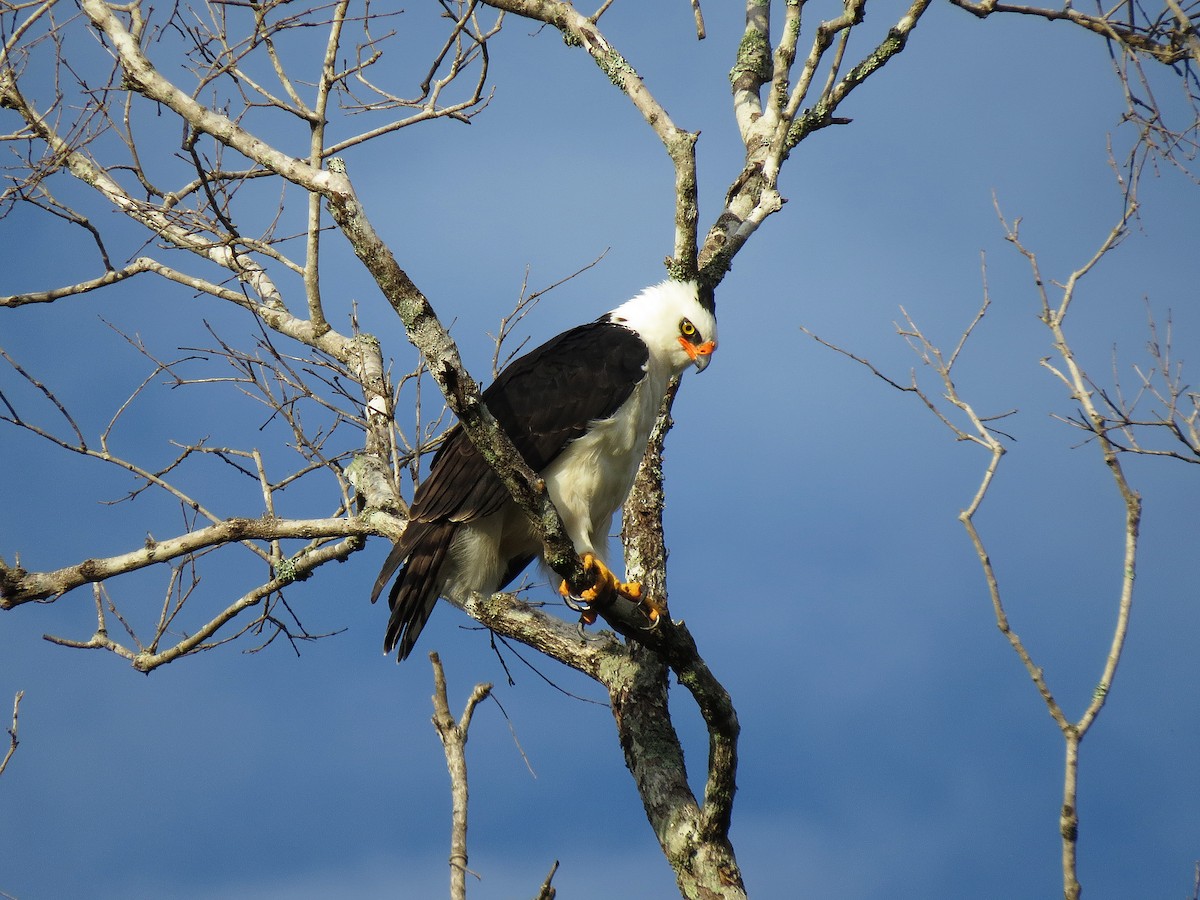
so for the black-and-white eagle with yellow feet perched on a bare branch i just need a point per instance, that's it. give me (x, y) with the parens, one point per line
(580, 410)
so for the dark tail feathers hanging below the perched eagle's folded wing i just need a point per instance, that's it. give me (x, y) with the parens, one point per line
(416, 593)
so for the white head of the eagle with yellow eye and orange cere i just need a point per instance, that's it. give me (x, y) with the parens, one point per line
(677, 321)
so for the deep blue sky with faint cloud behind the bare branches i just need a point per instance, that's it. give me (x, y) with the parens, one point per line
(892, 746)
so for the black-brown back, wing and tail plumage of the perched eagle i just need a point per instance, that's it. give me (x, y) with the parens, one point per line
(543, 401)
